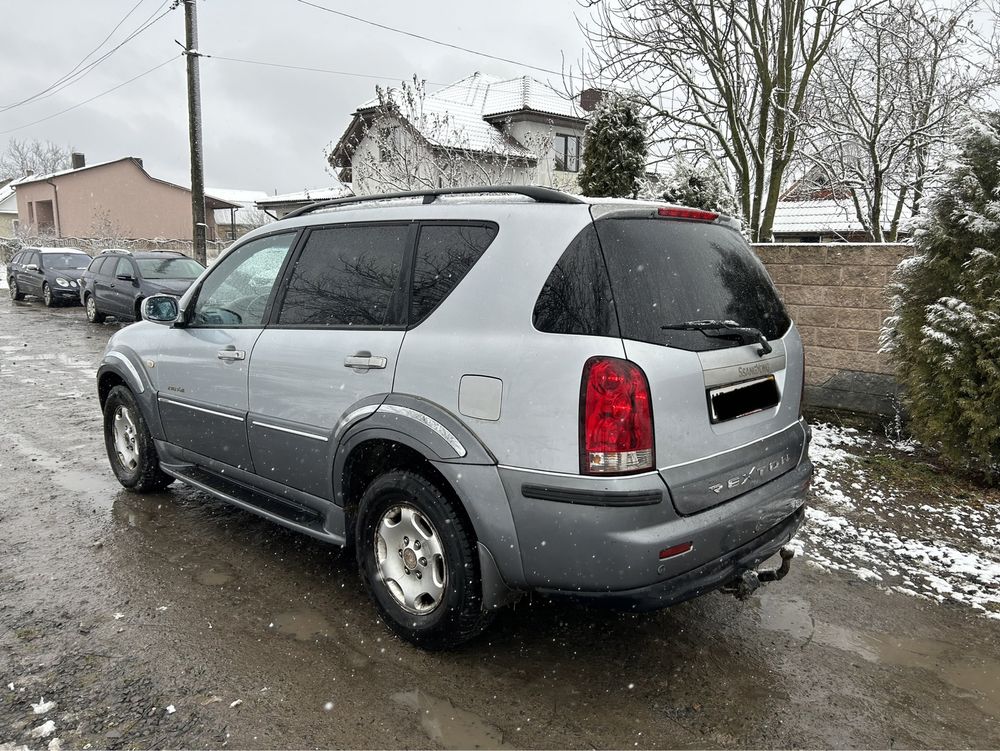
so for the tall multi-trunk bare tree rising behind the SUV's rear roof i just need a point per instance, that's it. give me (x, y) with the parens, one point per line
(725, 80)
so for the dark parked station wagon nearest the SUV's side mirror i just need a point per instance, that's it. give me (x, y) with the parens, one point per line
(117, 281)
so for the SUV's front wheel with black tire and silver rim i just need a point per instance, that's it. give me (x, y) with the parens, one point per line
(129, 445)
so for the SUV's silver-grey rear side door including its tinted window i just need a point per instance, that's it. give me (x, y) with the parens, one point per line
(334, 339)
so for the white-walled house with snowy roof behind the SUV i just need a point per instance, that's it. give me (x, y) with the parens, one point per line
(479, 130)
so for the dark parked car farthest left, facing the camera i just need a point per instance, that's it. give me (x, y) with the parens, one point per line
(52, 274)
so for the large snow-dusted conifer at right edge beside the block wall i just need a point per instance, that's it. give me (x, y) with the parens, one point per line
(944, 335)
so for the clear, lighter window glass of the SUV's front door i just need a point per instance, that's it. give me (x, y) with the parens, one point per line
(236, 293)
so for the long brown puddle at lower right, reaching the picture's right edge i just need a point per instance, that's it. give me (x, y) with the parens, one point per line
(976, 679)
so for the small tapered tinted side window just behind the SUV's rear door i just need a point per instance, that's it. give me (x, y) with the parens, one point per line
(445, 253)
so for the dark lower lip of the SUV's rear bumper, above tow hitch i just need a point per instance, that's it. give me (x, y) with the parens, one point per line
(706, 578)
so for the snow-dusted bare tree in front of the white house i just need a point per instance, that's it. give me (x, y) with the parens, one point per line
(409, 142)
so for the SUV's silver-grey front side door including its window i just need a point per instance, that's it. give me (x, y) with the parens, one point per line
(202, 367)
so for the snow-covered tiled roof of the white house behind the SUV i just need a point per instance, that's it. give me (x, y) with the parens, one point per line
(463, 105)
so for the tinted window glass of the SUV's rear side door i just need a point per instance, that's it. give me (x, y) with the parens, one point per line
(347, 276)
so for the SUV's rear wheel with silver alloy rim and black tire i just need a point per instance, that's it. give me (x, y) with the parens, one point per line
(406, 524)
